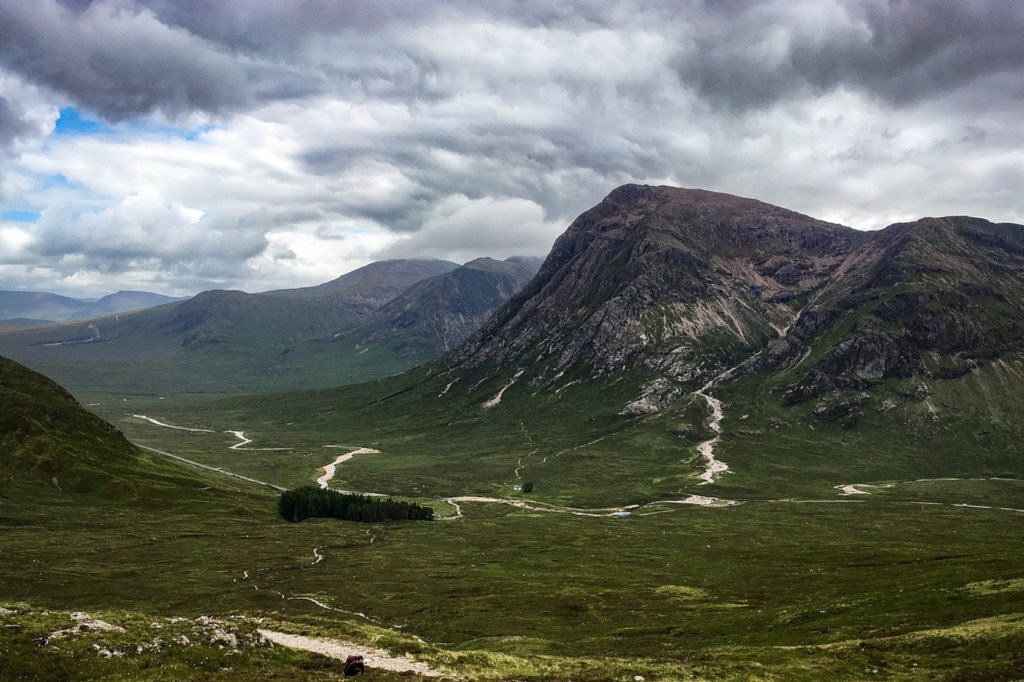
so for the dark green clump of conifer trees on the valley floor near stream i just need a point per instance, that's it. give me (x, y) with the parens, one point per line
(312, 501)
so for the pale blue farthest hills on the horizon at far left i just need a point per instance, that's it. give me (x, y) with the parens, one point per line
(27, 309)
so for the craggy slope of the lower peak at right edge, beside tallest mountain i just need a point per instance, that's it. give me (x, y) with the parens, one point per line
(937, 299)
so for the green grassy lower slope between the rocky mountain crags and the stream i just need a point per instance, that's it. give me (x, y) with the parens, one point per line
(577, 448)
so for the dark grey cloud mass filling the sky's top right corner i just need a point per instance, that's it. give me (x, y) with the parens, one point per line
(751, 56)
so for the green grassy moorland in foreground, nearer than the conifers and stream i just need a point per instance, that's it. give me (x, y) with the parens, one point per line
(767, 591)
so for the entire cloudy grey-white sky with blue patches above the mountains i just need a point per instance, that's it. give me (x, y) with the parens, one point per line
(177, 146)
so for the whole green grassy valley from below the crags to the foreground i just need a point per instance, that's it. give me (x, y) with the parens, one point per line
(920, 579)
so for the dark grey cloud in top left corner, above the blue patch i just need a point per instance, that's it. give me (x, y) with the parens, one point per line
(118, 62)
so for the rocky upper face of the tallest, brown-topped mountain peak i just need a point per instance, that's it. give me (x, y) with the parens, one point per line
(655, 276)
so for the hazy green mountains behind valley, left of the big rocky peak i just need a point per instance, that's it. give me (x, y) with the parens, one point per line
(376, 321)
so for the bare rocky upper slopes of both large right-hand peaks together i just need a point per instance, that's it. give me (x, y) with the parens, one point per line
(673, 286)
